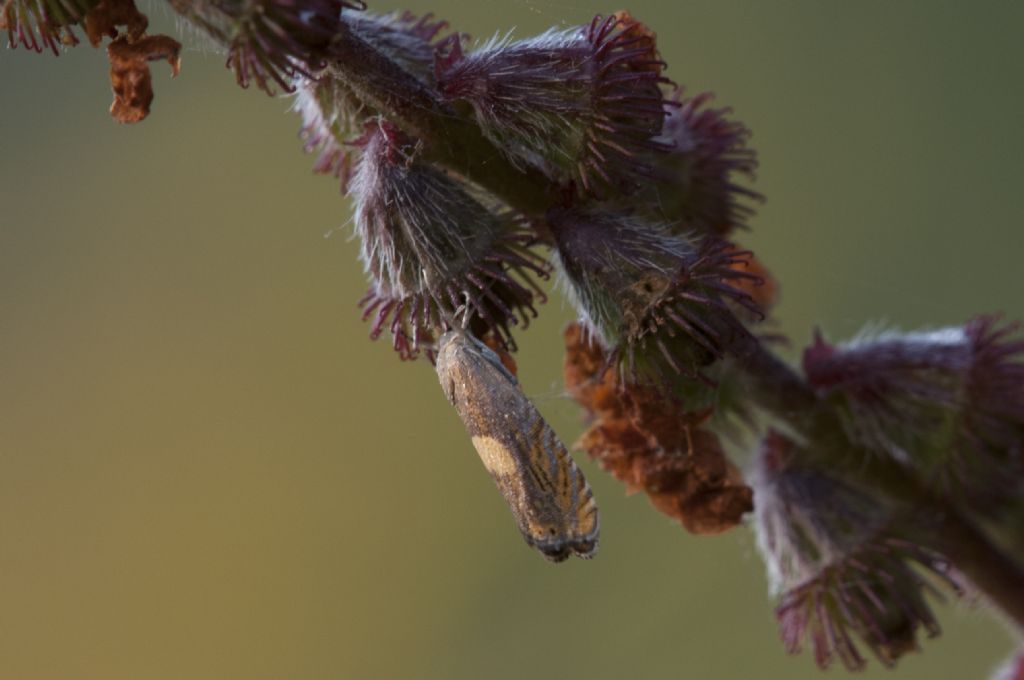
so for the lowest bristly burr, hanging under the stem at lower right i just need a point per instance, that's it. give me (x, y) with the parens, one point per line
(834, 554)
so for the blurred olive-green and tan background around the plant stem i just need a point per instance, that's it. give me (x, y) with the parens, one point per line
(208, 472)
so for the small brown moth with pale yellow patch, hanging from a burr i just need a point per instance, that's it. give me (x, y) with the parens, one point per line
(548, 495)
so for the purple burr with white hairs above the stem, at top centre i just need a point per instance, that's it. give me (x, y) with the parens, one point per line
(582, 105)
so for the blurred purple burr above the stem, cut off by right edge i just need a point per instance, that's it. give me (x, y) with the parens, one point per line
(948, 404)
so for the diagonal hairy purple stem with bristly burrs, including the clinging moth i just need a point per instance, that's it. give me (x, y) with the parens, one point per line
(889, 470)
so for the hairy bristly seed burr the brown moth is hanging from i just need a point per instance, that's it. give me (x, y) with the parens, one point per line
(434, 251)
